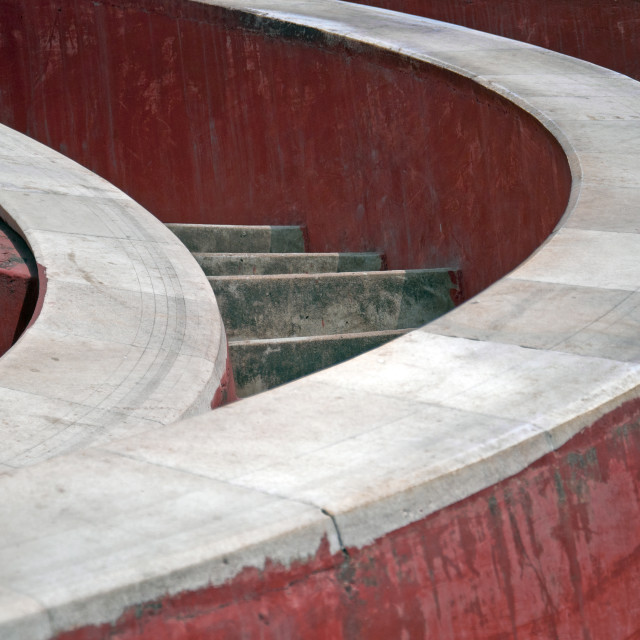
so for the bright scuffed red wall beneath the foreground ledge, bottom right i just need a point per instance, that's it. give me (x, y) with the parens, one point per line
(551, 553)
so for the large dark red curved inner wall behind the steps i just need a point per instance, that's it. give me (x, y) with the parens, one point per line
(204, 115)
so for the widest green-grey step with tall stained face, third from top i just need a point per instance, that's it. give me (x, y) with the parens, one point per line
(274, 306)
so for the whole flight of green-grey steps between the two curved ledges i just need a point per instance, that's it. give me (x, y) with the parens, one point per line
(288, 313)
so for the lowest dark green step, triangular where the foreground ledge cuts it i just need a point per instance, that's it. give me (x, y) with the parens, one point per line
(259, 365)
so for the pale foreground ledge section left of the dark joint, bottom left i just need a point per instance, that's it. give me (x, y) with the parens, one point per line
(103, 530)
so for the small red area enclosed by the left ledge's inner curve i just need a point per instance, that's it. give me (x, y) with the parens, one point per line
(18, 286)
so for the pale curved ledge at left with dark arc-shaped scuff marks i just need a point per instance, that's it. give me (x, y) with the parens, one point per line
(129, 336)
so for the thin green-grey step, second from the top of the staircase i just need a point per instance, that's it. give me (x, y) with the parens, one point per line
(245, 264)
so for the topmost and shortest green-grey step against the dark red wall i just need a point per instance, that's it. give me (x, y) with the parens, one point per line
(216, 238)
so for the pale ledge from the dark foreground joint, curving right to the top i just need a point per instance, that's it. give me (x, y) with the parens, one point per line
(390, 436)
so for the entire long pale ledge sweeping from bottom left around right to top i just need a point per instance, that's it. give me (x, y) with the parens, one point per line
(354, 452)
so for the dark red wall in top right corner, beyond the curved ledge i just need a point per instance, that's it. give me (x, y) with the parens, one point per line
(604, 32)
